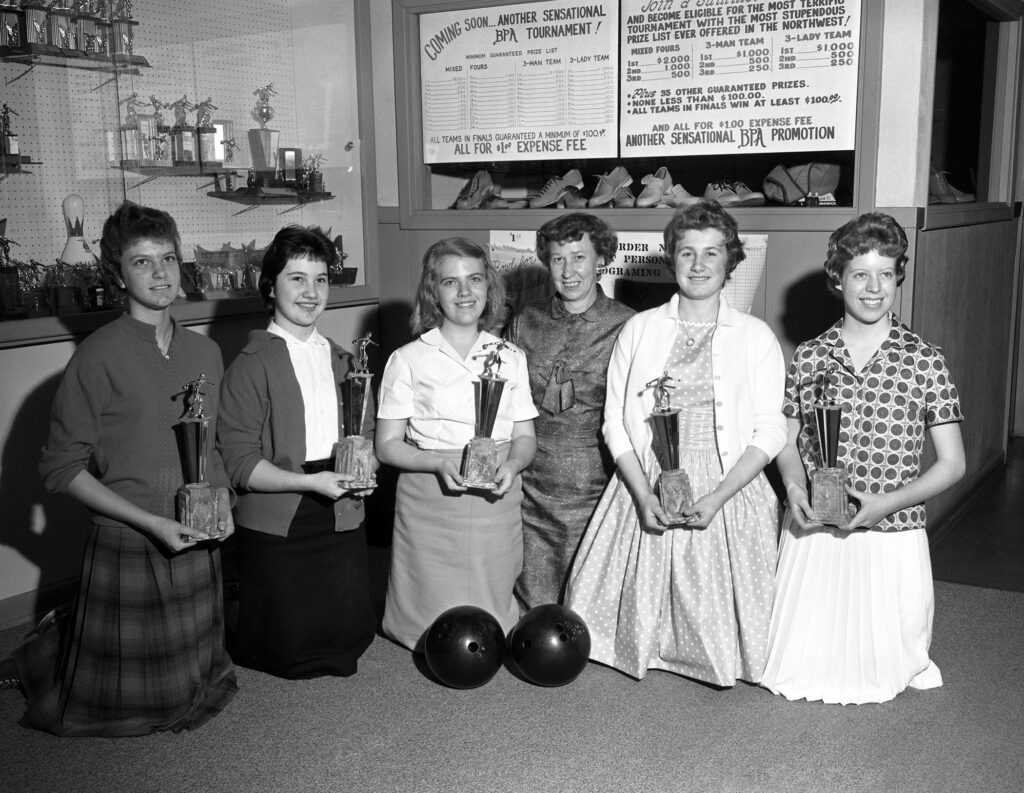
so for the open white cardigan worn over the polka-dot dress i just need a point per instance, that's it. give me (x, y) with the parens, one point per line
(749, 382)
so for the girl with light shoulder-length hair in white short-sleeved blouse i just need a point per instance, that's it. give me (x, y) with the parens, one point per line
(458, 531)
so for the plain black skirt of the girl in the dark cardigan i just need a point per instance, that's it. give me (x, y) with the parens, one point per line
(305, 608)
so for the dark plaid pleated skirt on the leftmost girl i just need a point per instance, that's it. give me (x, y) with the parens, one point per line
(144, 648)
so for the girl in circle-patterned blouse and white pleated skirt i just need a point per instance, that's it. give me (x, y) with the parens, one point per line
(852, 620)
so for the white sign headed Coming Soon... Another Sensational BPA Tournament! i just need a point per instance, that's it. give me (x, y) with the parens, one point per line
(534, 81)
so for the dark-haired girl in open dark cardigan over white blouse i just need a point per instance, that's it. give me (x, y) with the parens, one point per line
(305, 608)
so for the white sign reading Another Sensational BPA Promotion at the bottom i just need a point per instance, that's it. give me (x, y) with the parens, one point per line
(706, 77)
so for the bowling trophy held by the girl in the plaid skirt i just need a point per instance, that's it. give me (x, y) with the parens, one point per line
(197, 499)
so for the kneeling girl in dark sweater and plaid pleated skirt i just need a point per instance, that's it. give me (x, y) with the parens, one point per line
(144, 648)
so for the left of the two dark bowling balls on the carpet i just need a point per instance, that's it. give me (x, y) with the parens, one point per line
(465, 647)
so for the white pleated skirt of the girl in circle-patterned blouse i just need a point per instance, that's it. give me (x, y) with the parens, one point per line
(852, 618)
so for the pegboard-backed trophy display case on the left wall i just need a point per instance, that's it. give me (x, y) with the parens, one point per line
(164, 104)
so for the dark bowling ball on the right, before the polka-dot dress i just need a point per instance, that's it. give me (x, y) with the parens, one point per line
(550, 645)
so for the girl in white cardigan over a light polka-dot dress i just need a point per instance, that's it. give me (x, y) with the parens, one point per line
(694, 597)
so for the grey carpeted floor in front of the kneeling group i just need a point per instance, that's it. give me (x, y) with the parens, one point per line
(392, 729)
